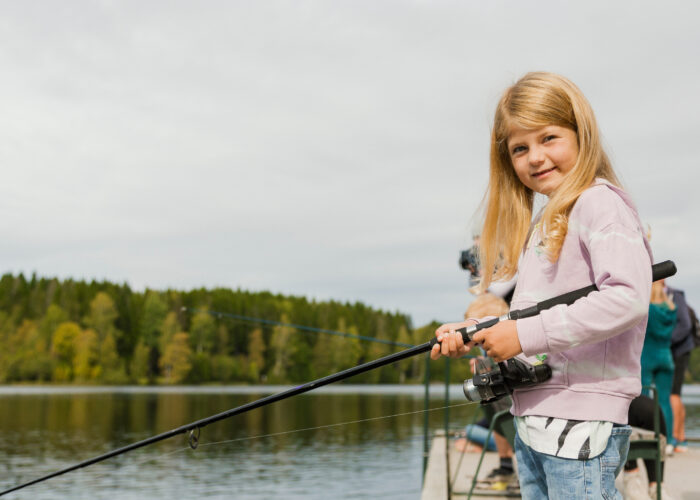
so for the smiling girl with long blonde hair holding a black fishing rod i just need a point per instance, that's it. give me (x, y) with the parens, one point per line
(572, 437)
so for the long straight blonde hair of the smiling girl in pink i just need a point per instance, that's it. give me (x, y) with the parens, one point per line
(536, 100)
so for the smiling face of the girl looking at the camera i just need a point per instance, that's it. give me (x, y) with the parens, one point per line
(542, 157)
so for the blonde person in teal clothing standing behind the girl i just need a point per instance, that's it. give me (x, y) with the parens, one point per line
(657, 360)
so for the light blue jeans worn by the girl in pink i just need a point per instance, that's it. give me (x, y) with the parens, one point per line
(547, 476)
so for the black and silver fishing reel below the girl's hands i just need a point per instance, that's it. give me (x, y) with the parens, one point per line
(502, 380)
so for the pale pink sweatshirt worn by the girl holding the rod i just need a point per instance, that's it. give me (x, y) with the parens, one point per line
(594, 345)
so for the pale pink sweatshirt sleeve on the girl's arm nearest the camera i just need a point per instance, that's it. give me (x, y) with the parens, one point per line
(621, 267)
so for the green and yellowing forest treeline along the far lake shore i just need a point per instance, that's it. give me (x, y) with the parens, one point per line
(104, 333)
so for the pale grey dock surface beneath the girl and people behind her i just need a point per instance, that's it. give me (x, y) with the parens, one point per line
(681, 478)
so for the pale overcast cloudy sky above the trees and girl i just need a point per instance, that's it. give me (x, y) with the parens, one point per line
(331, 149)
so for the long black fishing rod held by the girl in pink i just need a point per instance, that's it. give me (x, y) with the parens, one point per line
(659, 271)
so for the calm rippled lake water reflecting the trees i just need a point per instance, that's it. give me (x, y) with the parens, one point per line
(46, 429)
